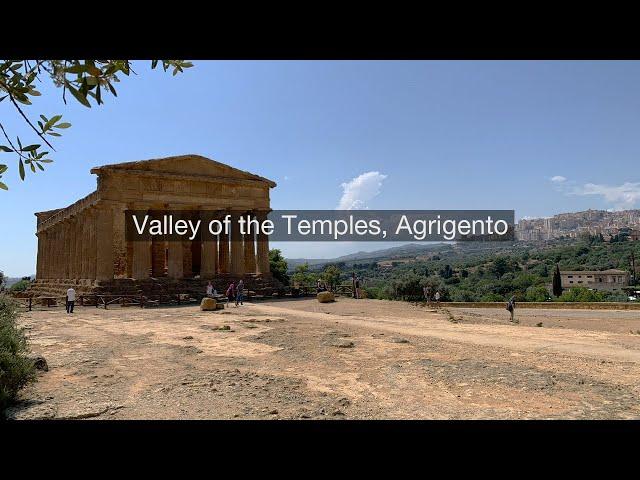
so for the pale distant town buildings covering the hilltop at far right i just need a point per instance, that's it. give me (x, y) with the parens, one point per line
(570, 225)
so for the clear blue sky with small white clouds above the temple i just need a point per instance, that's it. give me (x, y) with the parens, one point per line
(440, 135)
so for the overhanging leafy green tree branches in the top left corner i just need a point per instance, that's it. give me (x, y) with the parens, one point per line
(83, 80)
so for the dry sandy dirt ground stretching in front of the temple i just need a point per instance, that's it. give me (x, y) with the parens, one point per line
(364, 359)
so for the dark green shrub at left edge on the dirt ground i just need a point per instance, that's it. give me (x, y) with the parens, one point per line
(16, 369)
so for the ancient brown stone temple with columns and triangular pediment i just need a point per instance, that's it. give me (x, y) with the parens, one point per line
(85, 245)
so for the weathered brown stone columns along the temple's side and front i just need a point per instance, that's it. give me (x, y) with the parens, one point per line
(91, 245)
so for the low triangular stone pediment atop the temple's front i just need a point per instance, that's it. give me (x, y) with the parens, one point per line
(195, 165)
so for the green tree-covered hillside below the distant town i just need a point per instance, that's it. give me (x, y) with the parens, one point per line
(466, 274)
